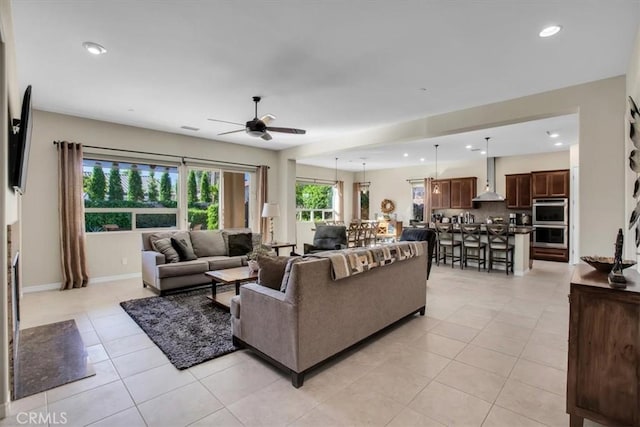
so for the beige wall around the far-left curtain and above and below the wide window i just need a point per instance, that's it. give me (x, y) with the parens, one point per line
(105, 251)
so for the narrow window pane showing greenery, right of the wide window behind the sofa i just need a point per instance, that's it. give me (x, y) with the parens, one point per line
(203, 199)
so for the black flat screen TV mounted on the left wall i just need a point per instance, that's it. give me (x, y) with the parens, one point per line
(19, 147)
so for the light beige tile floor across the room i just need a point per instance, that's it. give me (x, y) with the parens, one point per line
(491, 351)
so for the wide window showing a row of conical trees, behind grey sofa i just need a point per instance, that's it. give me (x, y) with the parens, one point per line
(128, 196)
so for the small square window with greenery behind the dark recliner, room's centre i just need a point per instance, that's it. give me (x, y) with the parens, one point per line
(314, 202)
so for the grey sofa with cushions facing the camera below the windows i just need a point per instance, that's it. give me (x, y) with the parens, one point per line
(210, 249)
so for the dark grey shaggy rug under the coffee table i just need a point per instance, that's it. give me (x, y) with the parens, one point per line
(187, 327)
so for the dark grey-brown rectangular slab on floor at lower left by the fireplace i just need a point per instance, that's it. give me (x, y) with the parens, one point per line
(49, 356)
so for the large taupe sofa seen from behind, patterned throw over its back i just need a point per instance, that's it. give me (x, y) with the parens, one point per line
(316, 317)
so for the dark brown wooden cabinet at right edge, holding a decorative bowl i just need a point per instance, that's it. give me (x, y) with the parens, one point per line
(603, 376)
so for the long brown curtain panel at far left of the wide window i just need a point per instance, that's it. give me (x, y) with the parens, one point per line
(71, 211)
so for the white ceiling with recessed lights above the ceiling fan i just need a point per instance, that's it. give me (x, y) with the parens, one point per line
(328, 67)
